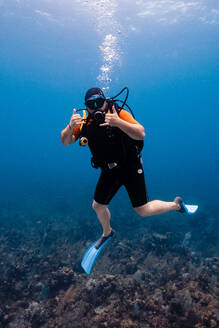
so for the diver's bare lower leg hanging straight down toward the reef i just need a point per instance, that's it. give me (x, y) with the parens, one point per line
(103, 215)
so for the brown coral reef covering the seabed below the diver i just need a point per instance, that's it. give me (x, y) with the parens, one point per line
(147, 278)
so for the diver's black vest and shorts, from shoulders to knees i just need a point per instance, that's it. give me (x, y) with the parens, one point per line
(120, 161)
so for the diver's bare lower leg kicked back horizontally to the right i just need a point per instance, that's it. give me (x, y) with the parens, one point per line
(156, 207)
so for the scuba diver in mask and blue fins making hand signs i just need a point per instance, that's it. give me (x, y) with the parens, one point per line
(115, 140)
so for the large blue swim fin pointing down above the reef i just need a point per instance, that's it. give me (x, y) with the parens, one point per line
(92, 253)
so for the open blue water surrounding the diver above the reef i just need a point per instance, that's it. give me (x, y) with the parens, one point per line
(50, 55)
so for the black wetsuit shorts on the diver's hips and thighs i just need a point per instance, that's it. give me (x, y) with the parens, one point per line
(132, 178)
